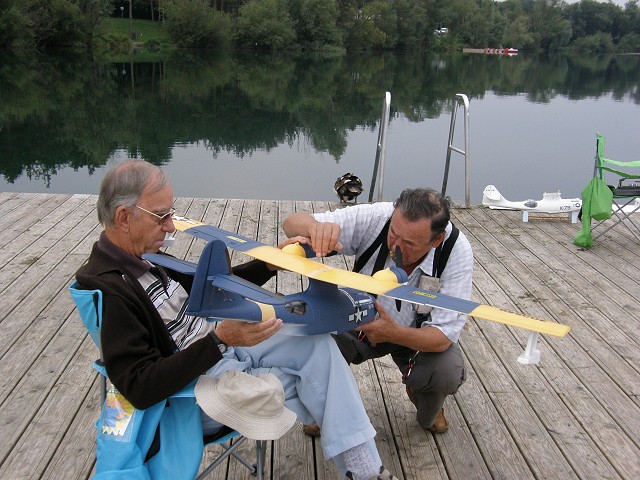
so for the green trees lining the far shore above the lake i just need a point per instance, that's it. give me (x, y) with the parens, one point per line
(587, 26)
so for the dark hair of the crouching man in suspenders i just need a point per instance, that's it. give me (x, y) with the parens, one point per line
(424, 203)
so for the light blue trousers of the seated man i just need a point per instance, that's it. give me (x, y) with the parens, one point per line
(318, 385)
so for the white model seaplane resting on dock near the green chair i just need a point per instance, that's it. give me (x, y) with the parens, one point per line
(550, 203)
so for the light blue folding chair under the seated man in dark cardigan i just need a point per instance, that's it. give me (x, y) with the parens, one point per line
(89, 305)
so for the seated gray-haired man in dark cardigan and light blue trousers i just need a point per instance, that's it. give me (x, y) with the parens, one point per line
(152, 349)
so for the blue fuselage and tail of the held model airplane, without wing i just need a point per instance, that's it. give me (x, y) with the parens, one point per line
(219, 294)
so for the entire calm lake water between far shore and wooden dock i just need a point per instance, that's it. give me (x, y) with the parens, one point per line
(278, 127)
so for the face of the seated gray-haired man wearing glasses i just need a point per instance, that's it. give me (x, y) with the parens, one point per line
(147, 231)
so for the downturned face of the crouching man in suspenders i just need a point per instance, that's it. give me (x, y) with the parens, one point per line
(413, 238)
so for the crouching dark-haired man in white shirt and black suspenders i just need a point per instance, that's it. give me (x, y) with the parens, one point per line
(413, 232)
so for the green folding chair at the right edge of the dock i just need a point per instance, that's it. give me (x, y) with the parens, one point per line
(626, 196)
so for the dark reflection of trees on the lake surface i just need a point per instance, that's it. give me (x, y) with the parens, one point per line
(59, 112)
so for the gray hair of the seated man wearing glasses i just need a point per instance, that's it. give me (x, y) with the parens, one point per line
(124, 184)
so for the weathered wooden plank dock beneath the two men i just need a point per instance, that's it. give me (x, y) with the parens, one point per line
(575, 415)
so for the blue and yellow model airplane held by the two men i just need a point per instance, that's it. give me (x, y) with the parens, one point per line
(323, 307)
